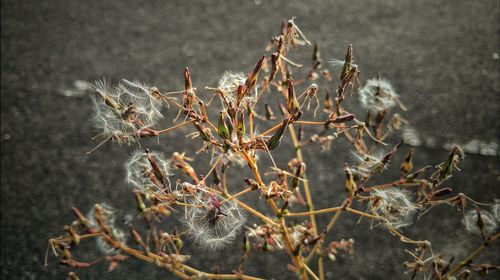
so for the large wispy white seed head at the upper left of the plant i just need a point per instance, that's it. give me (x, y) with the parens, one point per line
(122, 111)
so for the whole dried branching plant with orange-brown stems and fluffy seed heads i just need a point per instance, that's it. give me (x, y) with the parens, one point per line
(211, 212)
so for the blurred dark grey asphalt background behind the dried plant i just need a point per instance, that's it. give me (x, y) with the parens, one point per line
(441, 56)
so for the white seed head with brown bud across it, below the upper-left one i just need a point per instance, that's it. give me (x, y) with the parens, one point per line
(149, 170)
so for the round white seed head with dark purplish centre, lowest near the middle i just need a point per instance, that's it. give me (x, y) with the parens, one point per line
(211, 223)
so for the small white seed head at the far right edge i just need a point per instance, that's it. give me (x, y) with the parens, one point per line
(473, 225)
